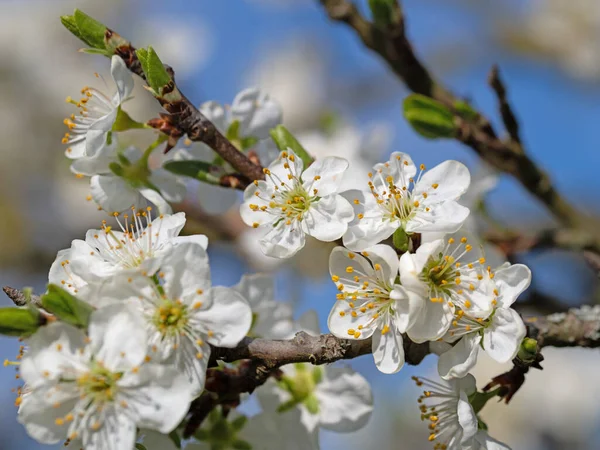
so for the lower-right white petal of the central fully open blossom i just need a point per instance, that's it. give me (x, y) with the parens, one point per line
(328, 219)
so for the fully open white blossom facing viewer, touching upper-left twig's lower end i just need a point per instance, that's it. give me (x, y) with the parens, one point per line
(293, 203)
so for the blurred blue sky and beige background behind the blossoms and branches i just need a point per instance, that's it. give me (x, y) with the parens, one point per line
(339, 99)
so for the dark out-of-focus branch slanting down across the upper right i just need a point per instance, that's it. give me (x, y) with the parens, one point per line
(508, 156)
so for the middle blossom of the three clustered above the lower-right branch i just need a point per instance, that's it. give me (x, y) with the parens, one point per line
(452, 280)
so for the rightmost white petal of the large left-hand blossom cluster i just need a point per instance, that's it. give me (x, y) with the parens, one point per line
(229, 317)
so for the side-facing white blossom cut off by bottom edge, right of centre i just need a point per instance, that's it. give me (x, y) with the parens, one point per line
(453, 421)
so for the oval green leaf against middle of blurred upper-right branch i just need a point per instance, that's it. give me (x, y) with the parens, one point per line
(429, 118)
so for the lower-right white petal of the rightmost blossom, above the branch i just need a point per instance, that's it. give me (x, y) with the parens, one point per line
(502, 338)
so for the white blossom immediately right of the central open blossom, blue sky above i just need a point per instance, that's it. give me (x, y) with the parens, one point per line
(398, 198)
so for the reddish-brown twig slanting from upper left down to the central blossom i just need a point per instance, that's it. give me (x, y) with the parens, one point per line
(186, 118)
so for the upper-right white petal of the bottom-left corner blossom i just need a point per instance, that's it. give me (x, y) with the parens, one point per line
(118, 337)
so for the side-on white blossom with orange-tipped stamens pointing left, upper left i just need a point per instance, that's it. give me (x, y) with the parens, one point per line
(88, 130)
